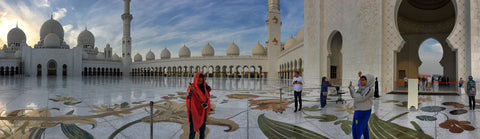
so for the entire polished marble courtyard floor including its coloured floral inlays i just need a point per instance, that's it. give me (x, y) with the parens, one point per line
(118, 107)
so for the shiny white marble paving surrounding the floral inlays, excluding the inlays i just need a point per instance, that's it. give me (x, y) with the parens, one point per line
(18, 93)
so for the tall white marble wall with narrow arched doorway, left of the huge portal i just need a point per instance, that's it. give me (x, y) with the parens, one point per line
(359, 22)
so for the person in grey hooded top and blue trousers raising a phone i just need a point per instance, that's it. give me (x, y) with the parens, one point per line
(362, 103)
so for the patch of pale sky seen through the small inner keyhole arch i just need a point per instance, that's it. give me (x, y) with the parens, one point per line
(430, 53)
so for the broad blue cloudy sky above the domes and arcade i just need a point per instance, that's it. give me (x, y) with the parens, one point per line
(156, 24)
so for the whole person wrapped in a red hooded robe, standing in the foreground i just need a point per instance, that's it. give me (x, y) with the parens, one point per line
(198, 105)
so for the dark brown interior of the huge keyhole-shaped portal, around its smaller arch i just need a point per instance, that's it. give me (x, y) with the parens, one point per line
(417, 21)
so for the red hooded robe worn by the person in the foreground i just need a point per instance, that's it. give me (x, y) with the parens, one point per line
(195, 108)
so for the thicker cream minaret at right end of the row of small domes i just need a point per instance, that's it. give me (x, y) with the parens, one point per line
(274, 44)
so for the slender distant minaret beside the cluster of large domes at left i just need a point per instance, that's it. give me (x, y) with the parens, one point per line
(126, 39)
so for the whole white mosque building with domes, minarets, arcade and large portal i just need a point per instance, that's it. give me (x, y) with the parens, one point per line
(342, 37)
